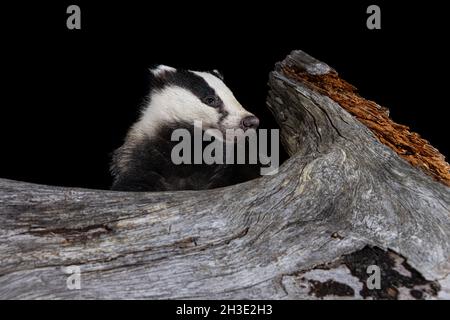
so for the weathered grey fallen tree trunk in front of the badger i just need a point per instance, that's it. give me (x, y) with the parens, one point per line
(349, 197)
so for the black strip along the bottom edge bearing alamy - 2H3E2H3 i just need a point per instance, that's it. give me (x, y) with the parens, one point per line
(282, 309)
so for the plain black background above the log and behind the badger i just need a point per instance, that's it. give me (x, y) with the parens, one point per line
(69, 96)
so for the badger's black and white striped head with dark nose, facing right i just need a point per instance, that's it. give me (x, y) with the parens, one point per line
(188, 96)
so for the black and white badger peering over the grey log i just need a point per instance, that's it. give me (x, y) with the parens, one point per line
(177, 98)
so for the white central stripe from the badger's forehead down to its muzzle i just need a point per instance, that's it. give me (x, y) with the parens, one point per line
(235, 110)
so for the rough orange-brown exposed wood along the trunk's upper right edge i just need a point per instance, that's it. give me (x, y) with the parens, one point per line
(409, 145)
